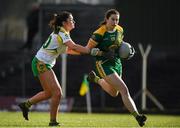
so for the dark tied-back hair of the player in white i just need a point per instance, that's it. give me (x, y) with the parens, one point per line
(57, 21)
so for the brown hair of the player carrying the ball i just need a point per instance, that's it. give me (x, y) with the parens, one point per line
(108, 14)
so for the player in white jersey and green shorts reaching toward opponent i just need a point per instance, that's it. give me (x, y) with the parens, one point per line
(58, 42)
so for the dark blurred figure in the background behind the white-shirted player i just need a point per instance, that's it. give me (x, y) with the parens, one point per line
(32, 21)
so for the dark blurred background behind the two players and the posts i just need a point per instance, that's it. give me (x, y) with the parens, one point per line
(155, 22)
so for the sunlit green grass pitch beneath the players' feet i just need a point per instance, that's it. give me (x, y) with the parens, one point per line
(83, 120)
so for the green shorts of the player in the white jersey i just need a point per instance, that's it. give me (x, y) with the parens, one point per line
(39, 67)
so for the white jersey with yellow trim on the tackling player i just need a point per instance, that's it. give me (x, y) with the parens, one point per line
(53, 47)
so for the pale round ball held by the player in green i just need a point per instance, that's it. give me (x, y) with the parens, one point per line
(126, 51)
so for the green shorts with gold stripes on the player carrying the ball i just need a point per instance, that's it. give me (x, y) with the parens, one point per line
(105, 68)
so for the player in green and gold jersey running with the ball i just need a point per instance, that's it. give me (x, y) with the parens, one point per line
(108, 37)
